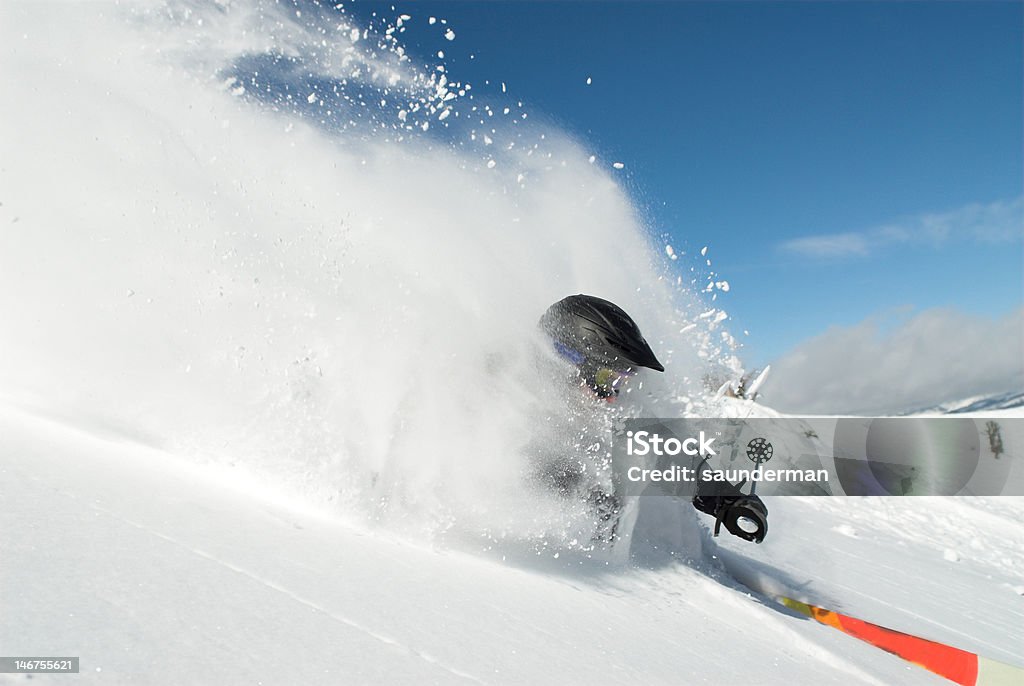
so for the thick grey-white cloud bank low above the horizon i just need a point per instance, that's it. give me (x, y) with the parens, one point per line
(935, 357)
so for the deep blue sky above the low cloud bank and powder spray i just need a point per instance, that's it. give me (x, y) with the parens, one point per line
(842, 160)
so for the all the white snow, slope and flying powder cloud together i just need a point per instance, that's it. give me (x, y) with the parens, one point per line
(258, 427)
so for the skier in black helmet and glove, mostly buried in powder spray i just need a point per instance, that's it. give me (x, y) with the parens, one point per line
(606, 349)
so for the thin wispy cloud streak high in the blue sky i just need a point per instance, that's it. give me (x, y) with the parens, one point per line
(996, 223)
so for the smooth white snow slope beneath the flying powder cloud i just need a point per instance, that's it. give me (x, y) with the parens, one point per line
(153, 571)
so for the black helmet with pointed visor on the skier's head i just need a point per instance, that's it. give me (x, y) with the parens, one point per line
(593, 333)
